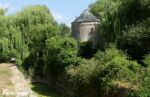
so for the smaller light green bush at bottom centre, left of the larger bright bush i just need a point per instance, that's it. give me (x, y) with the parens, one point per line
(82, 74)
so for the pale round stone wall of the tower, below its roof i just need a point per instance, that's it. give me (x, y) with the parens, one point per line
(87, 31)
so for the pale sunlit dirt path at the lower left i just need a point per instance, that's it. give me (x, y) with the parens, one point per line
(21, 87)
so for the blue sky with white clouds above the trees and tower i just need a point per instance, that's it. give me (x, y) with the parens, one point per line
(64, 11)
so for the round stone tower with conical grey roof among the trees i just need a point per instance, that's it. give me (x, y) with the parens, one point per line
(84, 28)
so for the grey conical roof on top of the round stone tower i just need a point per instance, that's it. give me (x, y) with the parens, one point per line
(86, 16)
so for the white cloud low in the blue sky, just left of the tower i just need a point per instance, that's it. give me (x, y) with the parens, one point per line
(60, 18)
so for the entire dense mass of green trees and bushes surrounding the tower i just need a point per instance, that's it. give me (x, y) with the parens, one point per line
(44, 48)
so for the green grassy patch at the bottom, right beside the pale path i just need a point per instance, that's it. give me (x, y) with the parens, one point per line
(43, 90)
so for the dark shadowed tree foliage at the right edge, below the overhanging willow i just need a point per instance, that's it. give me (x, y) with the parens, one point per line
(136, 39)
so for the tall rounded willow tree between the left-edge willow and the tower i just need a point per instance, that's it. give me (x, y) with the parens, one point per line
(36, 25)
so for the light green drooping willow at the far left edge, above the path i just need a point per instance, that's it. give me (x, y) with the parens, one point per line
(10, 38)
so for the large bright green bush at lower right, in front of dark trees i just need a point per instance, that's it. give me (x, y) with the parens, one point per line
(115, 66)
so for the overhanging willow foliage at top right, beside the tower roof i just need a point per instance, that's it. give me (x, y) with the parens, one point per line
(115, 15)
